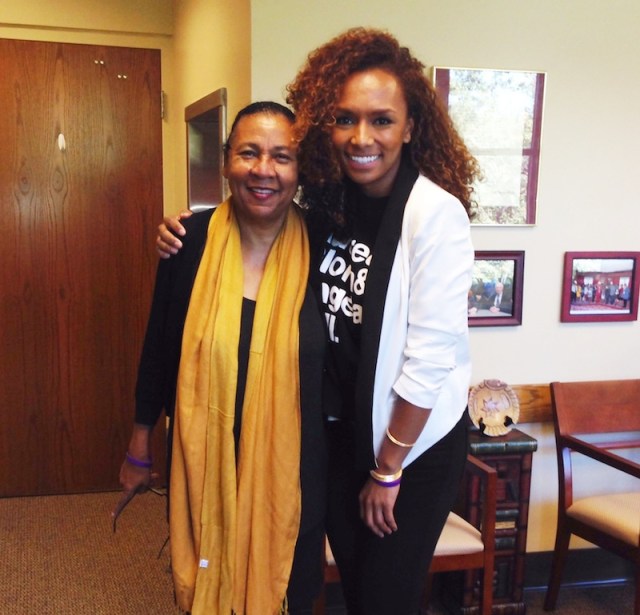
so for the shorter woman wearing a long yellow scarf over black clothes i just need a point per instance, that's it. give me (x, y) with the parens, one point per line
(235, 341)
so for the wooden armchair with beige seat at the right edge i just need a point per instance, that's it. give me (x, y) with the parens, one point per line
(596, 419)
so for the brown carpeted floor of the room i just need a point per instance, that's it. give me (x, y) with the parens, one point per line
(60, 556)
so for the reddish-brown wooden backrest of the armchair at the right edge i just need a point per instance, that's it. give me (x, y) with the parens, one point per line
(601, 406)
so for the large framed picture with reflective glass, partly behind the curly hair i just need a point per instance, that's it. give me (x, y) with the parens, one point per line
(498, 114)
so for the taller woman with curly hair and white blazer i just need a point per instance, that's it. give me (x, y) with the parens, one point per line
(390, 180)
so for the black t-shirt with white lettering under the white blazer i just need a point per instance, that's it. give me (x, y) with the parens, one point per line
(343, 276)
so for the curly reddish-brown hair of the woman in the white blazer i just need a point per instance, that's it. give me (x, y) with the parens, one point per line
(435, 149)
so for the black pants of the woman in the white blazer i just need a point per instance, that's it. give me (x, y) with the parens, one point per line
(386, 576)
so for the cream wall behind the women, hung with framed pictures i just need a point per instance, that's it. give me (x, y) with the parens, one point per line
(588, 197)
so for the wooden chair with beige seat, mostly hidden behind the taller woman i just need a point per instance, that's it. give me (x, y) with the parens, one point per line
(464, 545)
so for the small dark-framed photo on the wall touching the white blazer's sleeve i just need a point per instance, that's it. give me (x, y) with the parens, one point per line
(495, 296)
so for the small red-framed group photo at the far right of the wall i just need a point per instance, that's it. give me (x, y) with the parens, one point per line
(600, 286)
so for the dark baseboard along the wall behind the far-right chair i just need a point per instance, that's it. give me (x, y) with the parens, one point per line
(584, 567)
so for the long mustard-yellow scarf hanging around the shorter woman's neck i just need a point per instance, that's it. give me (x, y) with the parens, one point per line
(234, 524)
